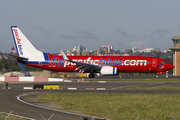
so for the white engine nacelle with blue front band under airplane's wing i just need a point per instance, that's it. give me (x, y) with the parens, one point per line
(107, 70)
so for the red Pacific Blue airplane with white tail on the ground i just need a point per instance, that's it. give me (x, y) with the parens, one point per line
(105, 65)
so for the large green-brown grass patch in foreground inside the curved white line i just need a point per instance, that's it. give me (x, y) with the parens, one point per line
(115, 106)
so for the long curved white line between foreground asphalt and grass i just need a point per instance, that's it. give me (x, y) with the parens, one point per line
(19, 99)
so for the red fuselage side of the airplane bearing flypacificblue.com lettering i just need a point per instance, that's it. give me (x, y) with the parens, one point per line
(123, 63)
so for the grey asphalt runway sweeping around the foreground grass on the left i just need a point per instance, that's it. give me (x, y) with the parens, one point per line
(8, 101)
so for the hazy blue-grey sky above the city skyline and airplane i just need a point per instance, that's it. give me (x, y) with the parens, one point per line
(53, 25)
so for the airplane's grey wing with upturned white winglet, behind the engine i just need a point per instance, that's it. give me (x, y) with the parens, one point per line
(81, 65)
